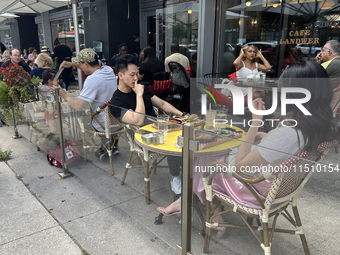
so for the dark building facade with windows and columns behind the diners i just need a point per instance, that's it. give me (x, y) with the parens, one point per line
(210, 32)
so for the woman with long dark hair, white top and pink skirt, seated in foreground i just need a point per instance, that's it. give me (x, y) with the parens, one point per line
(306, 132)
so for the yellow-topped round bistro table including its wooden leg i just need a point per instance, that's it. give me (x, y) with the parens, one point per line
(169, 148)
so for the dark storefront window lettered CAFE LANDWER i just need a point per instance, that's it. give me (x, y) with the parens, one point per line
(286, 31)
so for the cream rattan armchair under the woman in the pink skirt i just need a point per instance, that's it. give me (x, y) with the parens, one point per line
(284, 192)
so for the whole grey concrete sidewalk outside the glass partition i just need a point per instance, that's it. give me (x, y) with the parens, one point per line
(43, 214)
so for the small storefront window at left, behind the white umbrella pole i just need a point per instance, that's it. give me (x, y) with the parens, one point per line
(64, 30)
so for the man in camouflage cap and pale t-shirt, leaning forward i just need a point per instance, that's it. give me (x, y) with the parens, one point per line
(99, 87)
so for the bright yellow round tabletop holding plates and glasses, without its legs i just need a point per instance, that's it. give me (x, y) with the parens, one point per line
(169, 148)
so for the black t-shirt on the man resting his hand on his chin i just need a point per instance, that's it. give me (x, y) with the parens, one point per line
(128, 101)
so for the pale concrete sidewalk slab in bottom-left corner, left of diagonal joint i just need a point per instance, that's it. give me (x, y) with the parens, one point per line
(26, 225)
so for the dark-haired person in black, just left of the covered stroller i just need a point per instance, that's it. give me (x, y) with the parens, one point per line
(150, 66)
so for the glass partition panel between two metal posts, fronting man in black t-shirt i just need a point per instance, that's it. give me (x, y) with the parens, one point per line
(130, 158)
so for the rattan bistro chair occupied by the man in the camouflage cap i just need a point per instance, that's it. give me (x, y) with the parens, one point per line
(113, 130)
